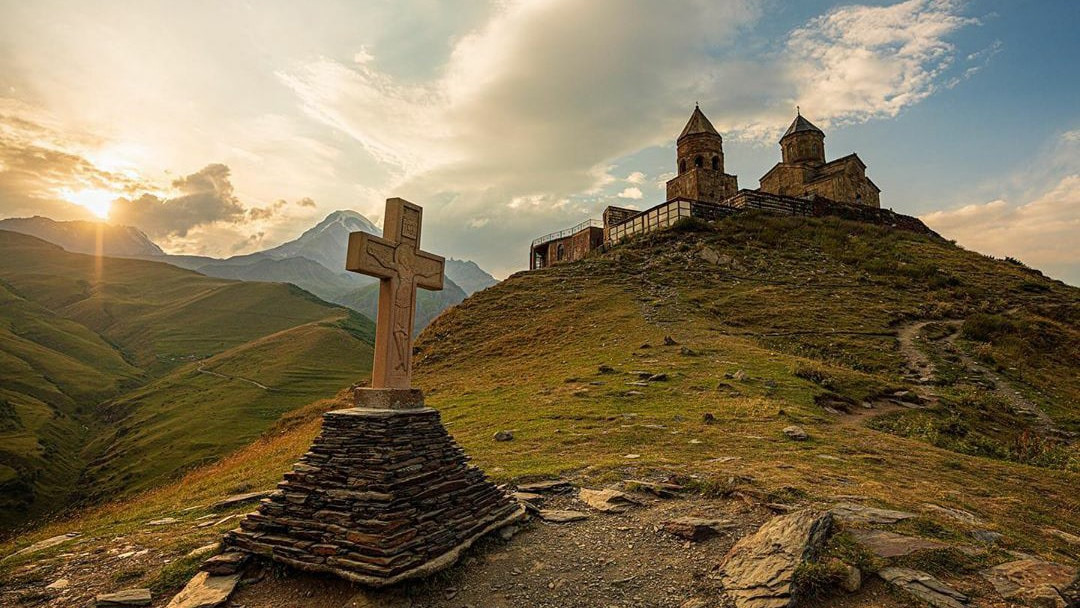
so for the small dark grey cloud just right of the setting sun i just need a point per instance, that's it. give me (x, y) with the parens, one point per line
(207, 197)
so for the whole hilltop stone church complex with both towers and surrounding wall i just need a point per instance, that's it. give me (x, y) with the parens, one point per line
(803, 183)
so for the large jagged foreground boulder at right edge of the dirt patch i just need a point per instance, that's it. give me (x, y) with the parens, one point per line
(760, 571)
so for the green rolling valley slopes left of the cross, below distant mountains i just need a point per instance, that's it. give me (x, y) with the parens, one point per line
(118, 373)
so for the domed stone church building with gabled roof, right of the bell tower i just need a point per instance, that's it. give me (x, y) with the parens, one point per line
(803, 171)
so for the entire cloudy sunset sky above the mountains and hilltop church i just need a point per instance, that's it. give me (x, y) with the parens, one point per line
(222, 128)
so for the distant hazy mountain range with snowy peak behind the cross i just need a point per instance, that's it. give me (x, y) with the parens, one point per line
(314, 262)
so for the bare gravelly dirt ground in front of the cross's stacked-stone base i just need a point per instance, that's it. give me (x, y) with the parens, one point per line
(609, 560)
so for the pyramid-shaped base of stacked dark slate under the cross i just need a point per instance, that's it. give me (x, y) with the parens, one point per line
(383, 496)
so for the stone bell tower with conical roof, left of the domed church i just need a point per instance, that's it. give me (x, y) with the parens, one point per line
(700, 161)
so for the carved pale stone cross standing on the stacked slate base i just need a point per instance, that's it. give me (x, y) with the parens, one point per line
(401, 266)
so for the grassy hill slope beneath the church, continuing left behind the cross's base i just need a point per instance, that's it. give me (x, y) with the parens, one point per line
(686, 354)
